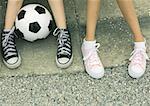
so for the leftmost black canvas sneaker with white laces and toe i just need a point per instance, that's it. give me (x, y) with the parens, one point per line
(10, 55)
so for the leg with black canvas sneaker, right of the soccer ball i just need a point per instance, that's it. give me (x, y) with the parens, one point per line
(64, 51)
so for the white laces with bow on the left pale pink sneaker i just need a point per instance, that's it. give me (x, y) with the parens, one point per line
(93, 55)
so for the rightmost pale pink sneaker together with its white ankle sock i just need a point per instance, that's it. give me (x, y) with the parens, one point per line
(138, 59)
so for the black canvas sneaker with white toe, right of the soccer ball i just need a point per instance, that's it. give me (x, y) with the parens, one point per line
(64, 56)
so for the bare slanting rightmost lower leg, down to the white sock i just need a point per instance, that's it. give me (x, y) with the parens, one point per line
(129, 13)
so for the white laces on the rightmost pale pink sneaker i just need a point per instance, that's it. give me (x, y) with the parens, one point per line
(136, 54)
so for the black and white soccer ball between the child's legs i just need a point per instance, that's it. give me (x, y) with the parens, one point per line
(33, 22)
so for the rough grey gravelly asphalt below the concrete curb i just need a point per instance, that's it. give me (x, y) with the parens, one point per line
(115, 89)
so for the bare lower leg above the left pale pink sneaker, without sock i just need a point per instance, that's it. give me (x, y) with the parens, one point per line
(93, 7)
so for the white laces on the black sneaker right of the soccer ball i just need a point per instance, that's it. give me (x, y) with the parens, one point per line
(63, 36)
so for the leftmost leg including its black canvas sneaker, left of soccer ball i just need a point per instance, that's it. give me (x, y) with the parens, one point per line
(10, 56)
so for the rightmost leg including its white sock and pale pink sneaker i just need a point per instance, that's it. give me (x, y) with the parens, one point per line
(137, 66)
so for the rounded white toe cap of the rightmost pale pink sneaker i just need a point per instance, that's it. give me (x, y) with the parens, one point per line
(136, 71)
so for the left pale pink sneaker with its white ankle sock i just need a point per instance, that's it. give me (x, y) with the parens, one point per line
(92, 62)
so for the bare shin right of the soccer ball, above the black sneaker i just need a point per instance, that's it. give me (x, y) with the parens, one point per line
(58, 11)
